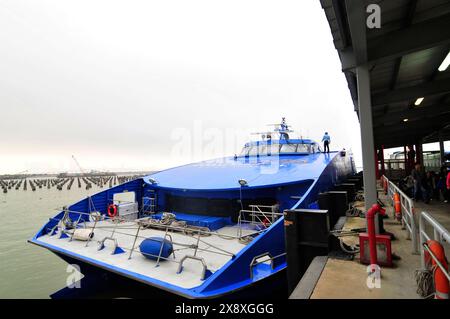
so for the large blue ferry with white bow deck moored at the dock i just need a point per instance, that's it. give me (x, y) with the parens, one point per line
(204, 230)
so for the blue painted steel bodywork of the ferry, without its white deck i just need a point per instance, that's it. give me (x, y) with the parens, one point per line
(294, 180)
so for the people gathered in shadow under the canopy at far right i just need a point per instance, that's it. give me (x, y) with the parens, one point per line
(427, 186)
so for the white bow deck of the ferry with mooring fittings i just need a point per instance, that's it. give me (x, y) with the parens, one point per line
(216, 249)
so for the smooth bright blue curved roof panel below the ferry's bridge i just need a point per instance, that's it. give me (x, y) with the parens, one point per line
(224, 174)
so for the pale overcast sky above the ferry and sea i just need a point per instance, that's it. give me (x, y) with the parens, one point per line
(116, 83)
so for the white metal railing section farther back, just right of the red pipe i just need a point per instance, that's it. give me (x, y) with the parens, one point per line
(407, 212)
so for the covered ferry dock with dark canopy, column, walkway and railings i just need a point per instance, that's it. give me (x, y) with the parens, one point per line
(395, 59)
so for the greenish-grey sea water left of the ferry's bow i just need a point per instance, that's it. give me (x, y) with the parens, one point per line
(27, 270)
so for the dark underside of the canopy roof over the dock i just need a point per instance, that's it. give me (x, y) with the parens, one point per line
(404, 56)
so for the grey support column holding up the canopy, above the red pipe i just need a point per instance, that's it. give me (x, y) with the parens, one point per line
(367, 142)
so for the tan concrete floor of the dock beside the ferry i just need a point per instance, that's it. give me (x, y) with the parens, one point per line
(331, 278)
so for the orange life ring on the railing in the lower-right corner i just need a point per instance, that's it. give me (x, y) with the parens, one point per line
(441, 283)
